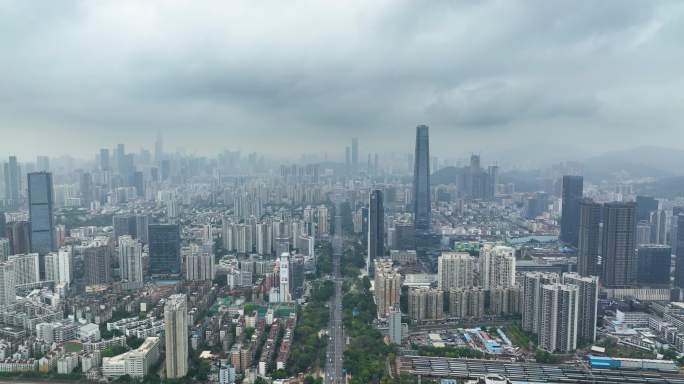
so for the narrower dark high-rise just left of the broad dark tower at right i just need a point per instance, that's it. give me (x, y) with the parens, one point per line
(589, 247)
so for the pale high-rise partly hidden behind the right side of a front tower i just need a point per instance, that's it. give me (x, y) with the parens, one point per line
(587, 304)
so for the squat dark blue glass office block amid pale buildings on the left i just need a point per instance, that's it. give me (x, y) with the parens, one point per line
(164, 249)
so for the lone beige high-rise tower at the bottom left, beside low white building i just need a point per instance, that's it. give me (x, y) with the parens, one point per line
(176, 336)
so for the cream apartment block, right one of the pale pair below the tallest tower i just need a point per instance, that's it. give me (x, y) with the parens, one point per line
(497, 266)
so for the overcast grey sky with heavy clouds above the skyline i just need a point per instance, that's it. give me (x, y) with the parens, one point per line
(503, 78)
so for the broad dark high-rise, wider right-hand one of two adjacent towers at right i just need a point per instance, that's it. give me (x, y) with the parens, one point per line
(619, 245)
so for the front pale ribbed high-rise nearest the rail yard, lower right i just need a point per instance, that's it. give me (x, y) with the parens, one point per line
(558, 327)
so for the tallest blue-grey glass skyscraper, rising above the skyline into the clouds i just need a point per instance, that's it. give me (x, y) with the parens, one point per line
(421, 181)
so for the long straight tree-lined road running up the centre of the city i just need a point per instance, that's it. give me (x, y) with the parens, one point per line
(334, 355)
